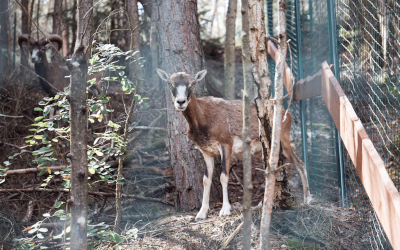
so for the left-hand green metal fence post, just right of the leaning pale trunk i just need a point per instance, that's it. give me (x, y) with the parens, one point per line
(303, 117)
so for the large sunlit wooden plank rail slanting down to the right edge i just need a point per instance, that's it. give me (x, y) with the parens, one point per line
(380, 189)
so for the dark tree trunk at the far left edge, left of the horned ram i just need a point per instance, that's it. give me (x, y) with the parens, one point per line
(4, 50)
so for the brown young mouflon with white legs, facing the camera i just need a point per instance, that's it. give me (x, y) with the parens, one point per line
(215, 127)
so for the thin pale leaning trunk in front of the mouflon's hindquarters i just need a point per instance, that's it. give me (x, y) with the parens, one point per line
(276, 130)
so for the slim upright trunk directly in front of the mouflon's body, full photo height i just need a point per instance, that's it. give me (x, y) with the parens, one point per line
(247, 96)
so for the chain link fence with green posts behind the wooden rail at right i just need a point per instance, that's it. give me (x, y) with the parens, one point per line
(361, 38)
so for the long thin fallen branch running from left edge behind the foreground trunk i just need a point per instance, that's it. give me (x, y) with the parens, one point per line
(48, 190)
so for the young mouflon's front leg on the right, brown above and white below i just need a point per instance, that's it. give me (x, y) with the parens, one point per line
(226, 153)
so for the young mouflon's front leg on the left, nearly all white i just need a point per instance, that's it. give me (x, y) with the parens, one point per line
(207, 179)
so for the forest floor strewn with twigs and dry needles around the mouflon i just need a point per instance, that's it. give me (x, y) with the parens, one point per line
(147, 172)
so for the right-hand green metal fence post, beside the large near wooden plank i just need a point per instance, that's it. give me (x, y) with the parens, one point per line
(335, 59)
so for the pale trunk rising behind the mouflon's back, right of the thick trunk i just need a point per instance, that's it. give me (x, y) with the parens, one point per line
(230, 55)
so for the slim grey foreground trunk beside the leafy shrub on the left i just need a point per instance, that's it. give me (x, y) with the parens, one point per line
(79, 173)
